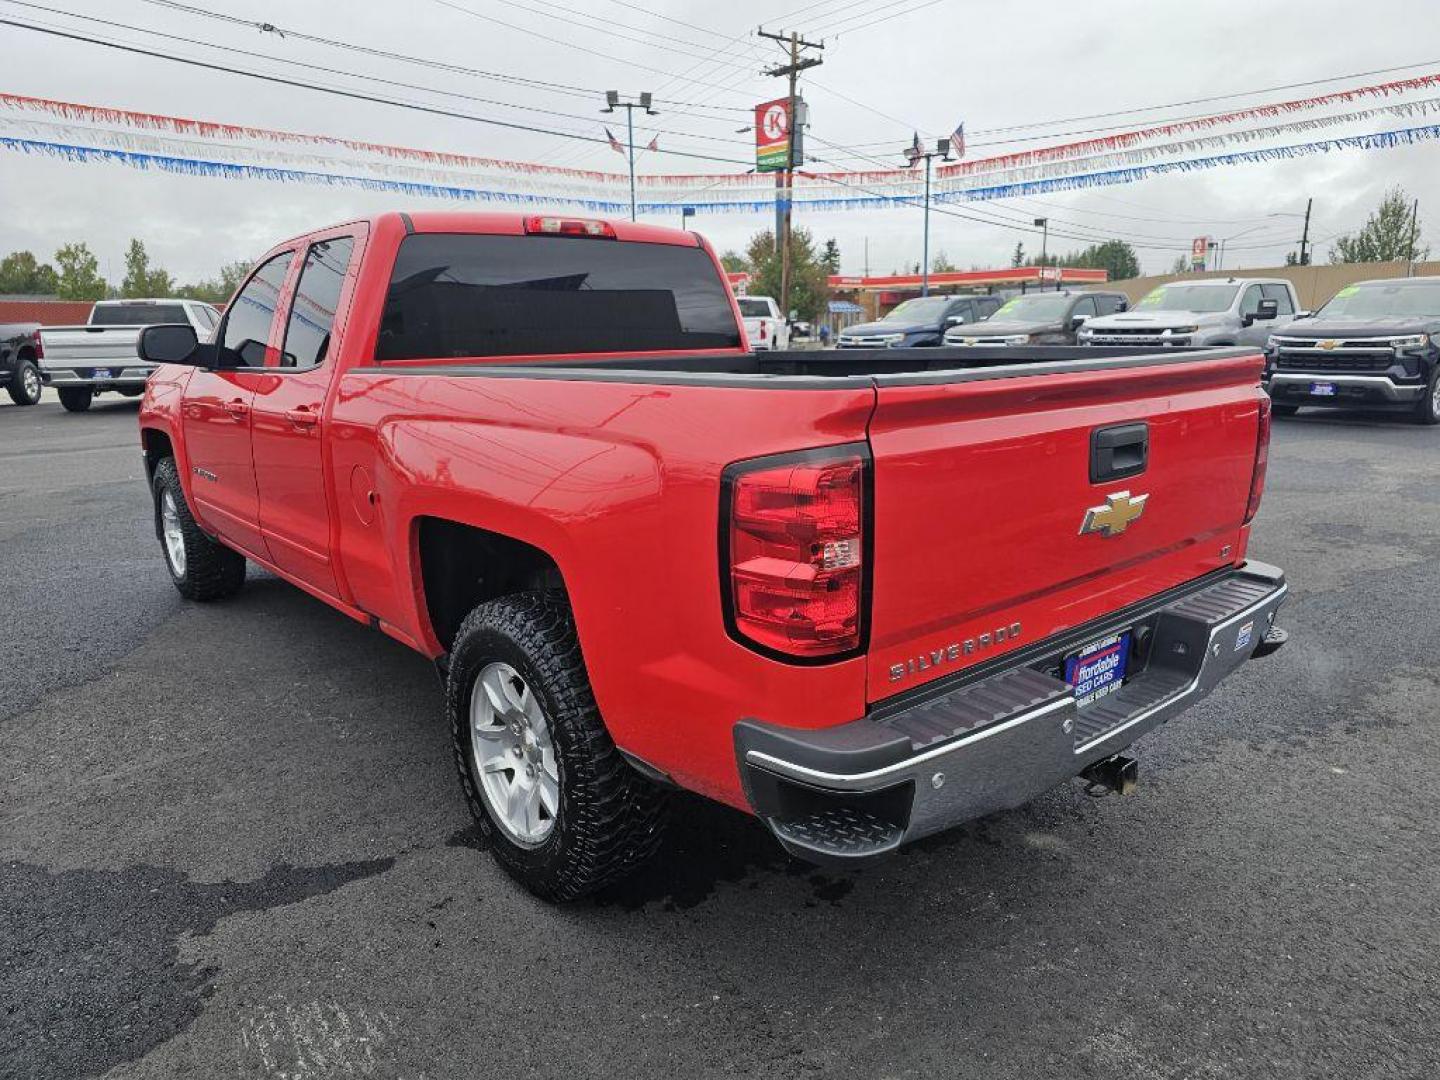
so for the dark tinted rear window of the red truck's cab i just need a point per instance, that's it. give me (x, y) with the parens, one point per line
(476, 296)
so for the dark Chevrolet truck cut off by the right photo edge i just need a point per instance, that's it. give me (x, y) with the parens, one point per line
(1376, 345)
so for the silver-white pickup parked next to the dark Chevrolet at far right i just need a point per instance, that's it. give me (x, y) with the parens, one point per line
(1232, 312)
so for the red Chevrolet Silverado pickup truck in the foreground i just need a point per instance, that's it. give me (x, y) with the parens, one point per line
(862, 595)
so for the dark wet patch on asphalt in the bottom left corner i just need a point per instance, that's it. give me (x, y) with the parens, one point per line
(90, 967)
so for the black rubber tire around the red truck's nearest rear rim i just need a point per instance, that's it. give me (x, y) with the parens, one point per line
(610, 817)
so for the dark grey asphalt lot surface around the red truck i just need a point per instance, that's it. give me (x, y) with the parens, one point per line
(233, 845)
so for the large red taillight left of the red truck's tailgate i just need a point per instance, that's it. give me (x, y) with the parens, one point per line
(797, 557)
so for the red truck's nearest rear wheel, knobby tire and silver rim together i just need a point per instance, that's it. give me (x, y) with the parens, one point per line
(564, 811)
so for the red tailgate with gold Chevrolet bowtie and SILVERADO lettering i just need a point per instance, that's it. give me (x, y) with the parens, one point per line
(983, 485)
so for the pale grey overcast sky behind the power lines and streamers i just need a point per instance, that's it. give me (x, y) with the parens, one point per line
(993, 66)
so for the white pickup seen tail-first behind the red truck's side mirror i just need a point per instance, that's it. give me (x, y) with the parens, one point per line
(83, 362)
